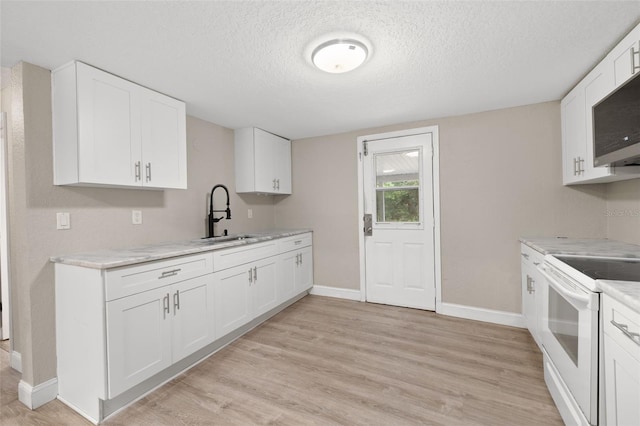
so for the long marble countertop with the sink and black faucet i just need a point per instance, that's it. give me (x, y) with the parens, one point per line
(114, 258)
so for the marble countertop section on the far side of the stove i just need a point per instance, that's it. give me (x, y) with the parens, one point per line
(583, 247)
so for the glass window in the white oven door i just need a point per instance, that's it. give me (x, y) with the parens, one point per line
(563, 323)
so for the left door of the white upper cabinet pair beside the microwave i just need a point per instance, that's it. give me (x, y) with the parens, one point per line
(573, 134)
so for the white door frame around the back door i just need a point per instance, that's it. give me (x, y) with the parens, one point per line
(436, 203)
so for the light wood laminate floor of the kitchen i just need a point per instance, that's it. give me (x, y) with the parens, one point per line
(331, 361)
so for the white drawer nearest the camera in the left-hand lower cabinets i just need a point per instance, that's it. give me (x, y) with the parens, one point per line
(126, 281)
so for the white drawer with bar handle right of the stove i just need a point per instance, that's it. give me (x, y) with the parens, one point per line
(626, 319)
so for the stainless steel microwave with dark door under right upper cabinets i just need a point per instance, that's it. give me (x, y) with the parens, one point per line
(616, 126)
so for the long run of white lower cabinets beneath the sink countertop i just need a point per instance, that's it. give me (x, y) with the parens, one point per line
(120, 332)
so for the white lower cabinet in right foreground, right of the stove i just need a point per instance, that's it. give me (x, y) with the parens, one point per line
(621, 363)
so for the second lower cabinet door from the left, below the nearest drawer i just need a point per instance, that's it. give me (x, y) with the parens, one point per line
(192, 311)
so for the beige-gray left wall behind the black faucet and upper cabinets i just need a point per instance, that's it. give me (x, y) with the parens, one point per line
(100, 218)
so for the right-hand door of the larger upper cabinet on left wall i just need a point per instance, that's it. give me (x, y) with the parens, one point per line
(164, 158)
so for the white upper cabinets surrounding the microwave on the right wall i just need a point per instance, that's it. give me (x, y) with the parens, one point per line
(577, 117)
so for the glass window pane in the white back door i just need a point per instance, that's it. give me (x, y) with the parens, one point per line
(398, 187)
